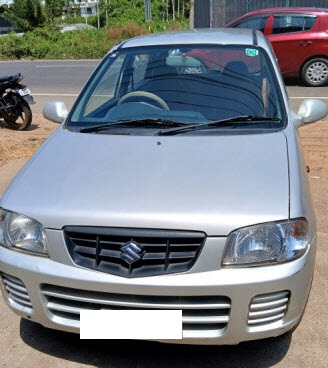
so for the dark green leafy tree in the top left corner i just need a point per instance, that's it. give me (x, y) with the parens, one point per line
(25, 14)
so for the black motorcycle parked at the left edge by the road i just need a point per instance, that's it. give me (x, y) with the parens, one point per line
(15, 101)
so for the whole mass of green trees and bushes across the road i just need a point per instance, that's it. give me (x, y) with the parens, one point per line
(42, 39)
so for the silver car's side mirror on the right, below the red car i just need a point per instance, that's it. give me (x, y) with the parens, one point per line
(312, 110)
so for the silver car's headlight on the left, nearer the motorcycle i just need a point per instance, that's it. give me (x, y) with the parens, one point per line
(21, 233)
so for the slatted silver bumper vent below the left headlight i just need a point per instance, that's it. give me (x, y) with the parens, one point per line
(16, 291)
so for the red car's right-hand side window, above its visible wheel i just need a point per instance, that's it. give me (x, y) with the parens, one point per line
(292, 23)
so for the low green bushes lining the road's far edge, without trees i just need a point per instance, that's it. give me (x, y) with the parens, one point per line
(50, 43)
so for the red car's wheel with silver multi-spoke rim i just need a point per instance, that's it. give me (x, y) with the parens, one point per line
(315, 72)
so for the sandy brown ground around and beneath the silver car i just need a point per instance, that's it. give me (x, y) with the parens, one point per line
(28, 345)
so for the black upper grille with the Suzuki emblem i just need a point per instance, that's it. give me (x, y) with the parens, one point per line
(133, 252)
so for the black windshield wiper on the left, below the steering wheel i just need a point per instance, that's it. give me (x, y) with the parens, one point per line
(148, 122)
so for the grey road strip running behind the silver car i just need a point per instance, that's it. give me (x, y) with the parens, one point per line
(63, 79)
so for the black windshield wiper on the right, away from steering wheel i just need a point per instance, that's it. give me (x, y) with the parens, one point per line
(249, 120)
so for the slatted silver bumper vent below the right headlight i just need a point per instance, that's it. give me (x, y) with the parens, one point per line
(268, 308)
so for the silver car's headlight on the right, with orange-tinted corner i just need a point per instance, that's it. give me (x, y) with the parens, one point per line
(267, 243)
